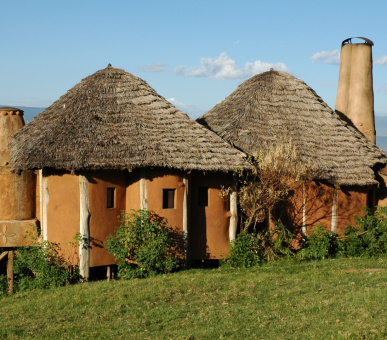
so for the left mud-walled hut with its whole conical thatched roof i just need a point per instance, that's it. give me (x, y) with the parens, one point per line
(111, 143)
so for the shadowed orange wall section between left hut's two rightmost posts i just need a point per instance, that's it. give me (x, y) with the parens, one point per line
(209, 223)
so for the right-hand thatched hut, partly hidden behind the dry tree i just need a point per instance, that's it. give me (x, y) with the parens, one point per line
(273, 106)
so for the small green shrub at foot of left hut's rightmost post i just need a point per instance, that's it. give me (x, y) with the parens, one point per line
(245, 251)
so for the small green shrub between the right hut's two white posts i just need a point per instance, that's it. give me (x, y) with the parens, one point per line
(320, 244)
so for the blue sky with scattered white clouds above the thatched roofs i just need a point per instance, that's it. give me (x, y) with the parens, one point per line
(193, 53)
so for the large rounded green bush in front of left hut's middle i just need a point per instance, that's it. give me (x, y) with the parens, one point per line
(143, 245)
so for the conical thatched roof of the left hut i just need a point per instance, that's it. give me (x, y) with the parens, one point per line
(114, 120)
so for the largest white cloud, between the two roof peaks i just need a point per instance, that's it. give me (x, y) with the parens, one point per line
(224, 68)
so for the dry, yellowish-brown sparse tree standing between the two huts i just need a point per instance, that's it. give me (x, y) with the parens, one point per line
(276, 171)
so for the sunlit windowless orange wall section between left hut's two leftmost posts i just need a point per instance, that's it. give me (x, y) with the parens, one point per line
(63, 213)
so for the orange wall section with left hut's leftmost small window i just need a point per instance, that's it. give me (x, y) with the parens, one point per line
(107, 196)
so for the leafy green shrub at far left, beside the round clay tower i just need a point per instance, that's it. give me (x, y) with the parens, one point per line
(41, 265)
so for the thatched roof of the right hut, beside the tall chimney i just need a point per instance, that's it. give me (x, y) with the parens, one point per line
(275, 105)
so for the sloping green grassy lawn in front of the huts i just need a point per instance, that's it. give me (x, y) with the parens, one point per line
(331, 299)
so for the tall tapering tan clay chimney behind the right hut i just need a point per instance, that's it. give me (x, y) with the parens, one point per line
(355, 97)
